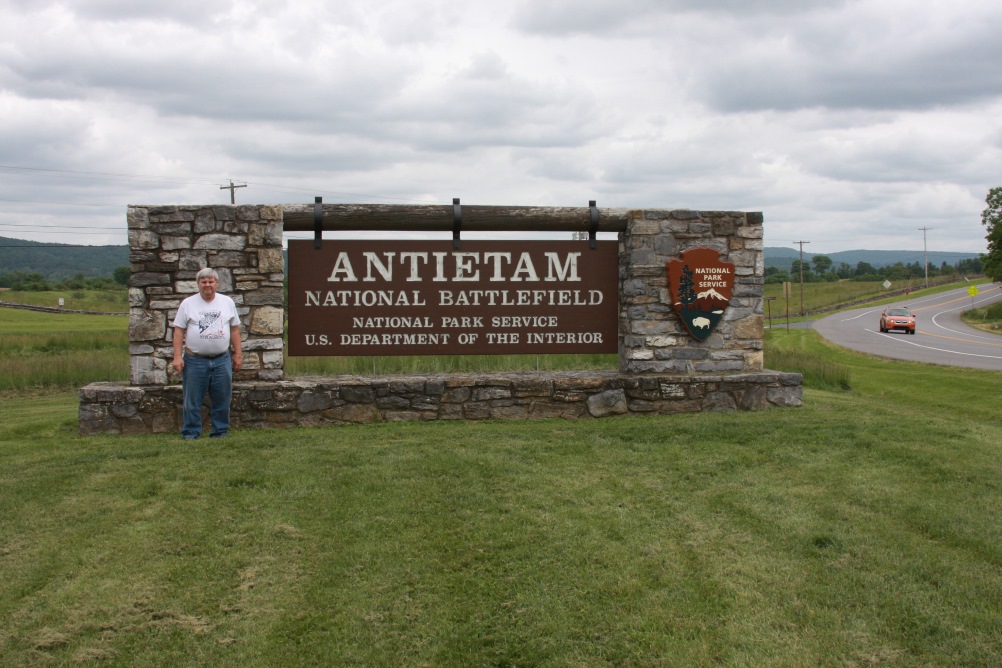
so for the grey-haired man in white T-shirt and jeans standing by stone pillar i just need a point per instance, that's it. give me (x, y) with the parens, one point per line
(206, 326)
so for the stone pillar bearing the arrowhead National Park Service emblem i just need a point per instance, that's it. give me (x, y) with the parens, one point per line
(653, 339)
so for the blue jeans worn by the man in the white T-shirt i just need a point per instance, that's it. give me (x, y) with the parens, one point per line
(203, 377)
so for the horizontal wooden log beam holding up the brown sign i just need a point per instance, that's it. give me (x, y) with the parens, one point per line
(405, 218)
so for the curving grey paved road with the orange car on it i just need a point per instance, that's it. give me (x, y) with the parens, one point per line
(941, 338)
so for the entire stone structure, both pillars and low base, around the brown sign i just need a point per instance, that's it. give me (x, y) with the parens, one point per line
(663, 370)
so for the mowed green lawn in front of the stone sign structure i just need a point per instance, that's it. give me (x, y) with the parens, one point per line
(861, 529)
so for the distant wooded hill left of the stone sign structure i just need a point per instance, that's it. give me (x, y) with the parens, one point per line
(57, 262)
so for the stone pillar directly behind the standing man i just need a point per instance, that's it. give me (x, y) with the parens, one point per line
(170, 245)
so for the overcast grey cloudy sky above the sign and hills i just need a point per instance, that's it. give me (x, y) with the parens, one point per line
(849, 125)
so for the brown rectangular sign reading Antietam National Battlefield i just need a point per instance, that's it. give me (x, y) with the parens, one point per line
(376, 298)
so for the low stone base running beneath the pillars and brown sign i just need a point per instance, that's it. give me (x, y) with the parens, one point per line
(110, 408)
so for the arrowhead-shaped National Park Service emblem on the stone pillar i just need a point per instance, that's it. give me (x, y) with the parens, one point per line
(701, 287)
